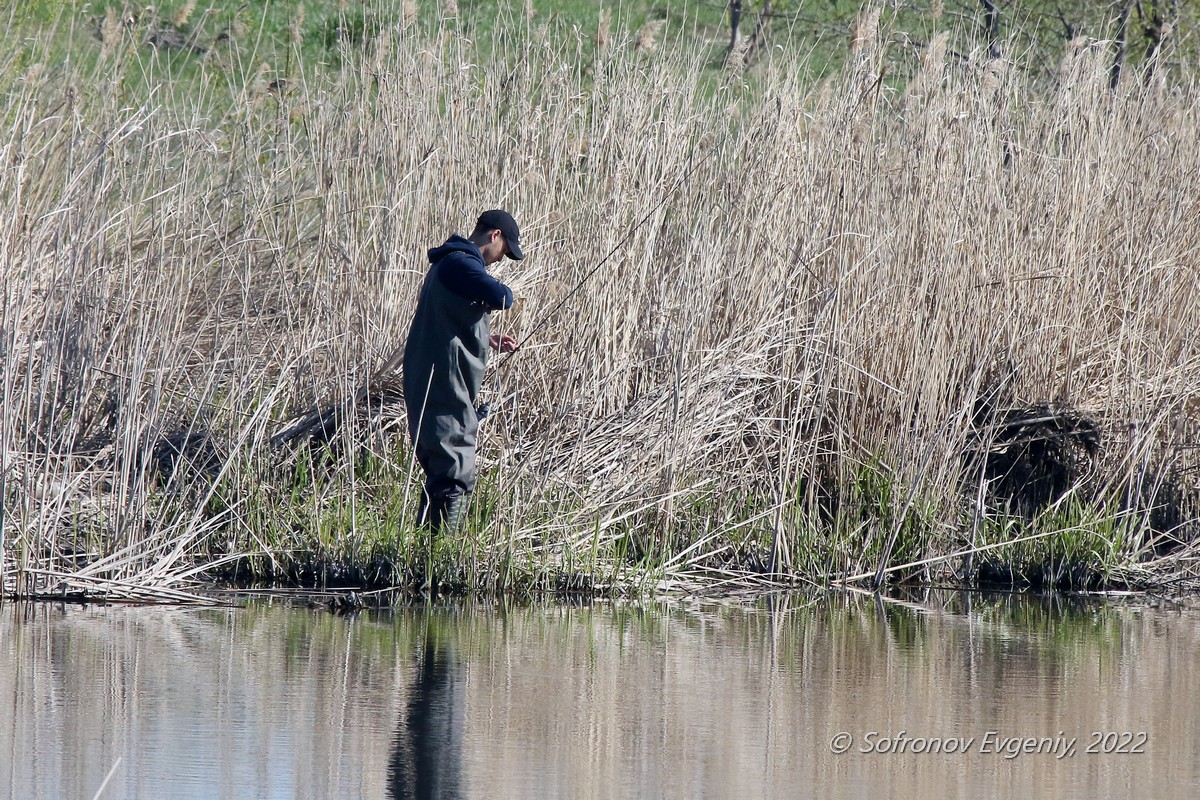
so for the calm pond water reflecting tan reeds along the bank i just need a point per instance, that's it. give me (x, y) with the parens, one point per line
(673, 701)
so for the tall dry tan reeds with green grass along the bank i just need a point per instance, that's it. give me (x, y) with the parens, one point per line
(938, 332)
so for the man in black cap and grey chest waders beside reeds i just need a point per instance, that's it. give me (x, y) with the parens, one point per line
(446, 357)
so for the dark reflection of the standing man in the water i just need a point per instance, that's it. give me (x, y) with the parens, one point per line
(427, 756)
